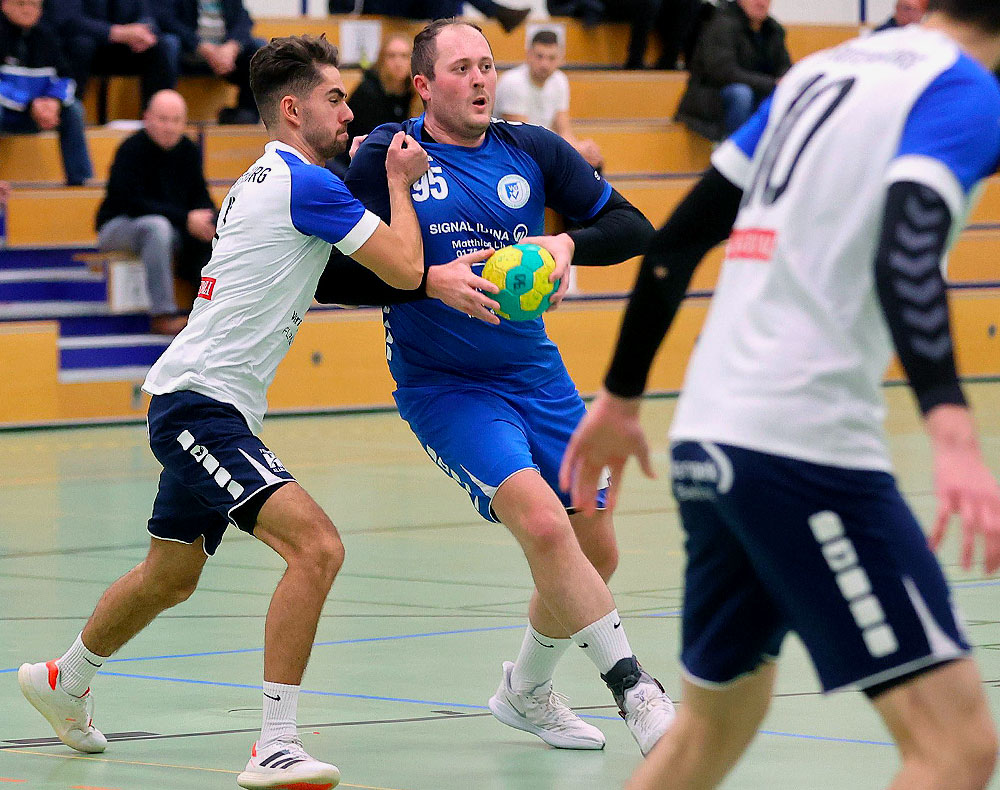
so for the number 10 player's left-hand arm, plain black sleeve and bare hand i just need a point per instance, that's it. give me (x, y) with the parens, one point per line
(610, 433)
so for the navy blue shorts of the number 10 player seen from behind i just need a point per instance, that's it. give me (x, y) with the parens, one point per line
(776, 544)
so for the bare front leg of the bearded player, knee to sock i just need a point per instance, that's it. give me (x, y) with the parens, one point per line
(292, 524)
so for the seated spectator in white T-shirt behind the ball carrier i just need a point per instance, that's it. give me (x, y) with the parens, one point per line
(537, 92)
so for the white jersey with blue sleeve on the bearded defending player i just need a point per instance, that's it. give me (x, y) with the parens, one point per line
(275, 233)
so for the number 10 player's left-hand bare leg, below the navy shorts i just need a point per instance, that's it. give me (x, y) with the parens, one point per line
(713, 729)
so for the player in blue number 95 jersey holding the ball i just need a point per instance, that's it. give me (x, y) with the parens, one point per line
(490, 400)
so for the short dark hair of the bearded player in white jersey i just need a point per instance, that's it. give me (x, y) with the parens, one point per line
(288, 65)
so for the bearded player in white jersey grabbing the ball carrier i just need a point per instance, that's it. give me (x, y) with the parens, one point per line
(277, 227)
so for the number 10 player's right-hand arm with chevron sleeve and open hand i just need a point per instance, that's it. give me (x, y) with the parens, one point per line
(913, 295)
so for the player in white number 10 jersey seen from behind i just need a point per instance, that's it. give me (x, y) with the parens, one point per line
(839, 199)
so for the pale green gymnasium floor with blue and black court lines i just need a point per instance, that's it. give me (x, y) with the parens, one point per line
(431, 600)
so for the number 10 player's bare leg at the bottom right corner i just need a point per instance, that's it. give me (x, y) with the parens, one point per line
(941, 722)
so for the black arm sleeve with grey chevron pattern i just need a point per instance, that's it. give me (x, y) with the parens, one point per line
(912, 292)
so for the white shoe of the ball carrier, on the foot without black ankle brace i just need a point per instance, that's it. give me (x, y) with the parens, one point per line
(544, 713)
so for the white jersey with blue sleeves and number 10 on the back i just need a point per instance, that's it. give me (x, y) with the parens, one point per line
(795, 347)
